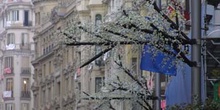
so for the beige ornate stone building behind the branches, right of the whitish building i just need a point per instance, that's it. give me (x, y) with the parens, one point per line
(59, 84)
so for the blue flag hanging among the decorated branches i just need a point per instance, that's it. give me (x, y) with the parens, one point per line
(156, 61)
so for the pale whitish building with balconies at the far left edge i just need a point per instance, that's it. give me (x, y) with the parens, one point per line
(16, 54)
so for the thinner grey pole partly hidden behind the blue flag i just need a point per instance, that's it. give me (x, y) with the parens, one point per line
(157, 80)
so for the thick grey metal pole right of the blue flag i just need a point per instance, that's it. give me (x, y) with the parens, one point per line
(196, 51)
